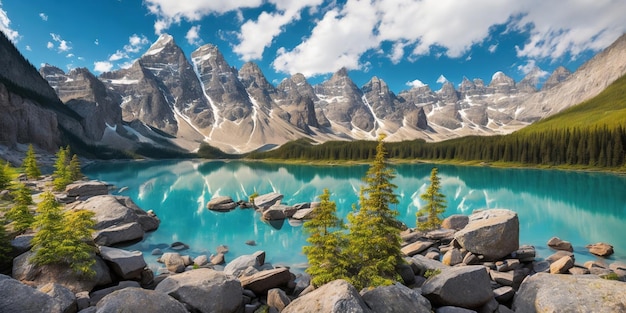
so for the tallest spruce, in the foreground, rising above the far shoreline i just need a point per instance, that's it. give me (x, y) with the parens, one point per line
(374, 237)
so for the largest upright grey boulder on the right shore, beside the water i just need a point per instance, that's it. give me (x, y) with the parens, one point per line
(491, 233)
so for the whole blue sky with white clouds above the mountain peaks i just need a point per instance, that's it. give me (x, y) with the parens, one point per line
(404, 42)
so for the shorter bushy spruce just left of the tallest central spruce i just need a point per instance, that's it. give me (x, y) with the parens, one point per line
(326, 241)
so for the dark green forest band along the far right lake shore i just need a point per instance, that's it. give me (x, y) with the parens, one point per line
(600, 146)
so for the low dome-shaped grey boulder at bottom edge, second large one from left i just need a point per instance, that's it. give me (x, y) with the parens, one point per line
(139, 300)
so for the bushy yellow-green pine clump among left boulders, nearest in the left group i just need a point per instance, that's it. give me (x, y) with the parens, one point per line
(63, 238)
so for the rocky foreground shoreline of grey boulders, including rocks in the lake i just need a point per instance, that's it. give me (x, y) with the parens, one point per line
(472, 264)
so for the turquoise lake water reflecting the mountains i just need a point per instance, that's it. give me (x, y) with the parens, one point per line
(579, 207)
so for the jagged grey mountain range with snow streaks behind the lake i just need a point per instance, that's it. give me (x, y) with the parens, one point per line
(170, 101)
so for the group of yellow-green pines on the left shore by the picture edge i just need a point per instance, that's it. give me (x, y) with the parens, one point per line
(61, 237)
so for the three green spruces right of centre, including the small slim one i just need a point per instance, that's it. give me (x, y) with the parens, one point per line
(369, 253)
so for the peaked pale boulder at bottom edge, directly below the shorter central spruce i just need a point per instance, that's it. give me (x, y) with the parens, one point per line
(337, 296)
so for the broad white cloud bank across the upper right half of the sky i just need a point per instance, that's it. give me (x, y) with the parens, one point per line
(446, 27)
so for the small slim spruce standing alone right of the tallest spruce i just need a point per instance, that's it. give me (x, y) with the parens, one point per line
(435, 204)
